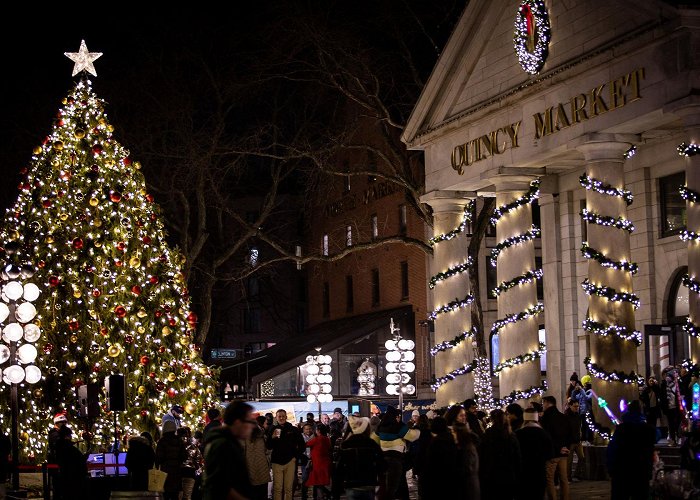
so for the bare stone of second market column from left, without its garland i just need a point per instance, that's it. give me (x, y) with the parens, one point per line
(519, 337)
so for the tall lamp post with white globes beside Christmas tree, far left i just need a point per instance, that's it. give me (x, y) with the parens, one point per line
(18, 336)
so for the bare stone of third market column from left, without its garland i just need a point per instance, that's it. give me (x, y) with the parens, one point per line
(604, 155)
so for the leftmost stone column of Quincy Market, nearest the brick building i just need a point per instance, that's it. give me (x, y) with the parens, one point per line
(448, 214)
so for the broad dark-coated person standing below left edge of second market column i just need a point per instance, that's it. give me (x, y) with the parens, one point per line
(499, 460)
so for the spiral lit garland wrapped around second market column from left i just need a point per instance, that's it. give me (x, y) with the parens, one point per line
(505, 286)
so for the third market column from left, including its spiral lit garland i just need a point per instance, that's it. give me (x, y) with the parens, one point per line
(610, 321)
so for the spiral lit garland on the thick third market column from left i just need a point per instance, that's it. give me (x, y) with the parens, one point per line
(609, 293)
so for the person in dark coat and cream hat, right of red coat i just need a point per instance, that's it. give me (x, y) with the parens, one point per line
(361, 465)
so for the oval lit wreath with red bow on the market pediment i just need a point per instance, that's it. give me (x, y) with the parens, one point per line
(532, 34)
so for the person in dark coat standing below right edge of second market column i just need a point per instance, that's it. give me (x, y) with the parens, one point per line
(536, 450)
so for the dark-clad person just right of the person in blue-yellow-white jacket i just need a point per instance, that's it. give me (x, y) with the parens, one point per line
(439, 476)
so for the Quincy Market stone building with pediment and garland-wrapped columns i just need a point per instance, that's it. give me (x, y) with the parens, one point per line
(600, 101)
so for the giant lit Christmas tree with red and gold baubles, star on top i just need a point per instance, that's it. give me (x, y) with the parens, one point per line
(113, 296)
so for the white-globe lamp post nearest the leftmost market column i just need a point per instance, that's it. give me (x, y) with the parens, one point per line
(400, 365)
